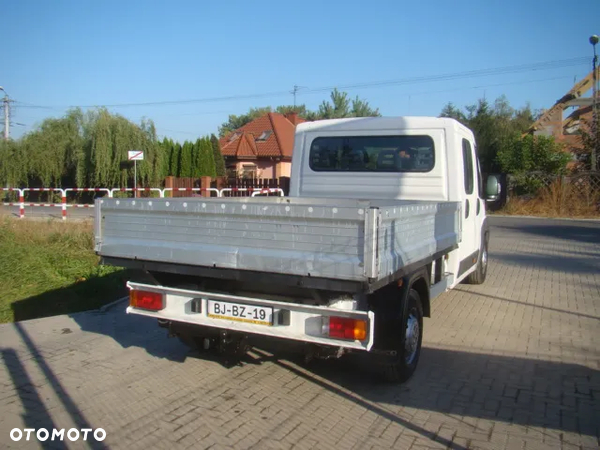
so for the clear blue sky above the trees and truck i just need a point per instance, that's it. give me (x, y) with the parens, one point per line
(64, 53)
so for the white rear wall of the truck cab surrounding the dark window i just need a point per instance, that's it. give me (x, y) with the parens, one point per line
(431, 185)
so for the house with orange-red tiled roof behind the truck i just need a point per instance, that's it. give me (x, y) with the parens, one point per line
(263, 147)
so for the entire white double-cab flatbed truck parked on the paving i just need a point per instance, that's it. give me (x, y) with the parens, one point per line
(383, 215)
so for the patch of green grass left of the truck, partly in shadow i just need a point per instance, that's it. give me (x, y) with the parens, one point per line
(49, 268)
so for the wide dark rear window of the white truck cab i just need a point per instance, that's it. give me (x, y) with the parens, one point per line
(372, 154)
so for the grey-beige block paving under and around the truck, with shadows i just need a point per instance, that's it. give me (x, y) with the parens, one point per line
(513, 364)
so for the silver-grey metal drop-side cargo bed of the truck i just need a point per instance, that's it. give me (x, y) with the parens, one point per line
(354, 240)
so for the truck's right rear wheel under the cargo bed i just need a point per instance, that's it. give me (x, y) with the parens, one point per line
(410, 339)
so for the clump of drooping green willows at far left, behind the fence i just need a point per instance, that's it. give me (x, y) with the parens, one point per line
(82, 149)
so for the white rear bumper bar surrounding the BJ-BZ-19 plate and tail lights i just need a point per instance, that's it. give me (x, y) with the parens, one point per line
(291, 320)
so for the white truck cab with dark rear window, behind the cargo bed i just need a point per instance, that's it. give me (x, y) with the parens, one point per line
(403, 158)
